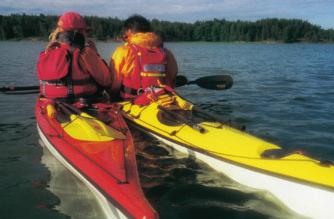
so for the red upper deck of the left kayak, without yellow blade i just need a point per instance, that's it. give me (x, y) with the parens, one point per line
(109, 166)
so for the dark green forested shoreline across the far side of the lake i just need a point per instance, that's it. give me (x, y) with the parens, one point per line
(22, 26)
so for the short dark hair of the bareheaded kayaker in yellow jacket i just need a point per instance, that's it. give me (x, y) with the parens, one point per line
(137, 23)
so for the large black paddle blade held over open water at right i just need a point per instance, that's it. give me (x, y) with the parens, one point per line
(215, 82)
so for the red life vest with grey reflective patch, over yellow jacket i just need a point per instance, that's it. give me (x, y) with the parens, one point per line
(149, 70)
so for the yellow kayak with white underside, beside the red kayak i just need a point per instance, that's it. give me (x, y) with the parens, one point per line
(303, 184)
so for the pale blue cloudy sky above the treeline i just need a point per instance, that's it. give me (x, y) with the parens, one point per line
(318, 12)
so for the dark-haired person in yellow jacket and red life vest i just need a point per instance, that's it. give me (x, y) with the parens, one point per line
(142, 62)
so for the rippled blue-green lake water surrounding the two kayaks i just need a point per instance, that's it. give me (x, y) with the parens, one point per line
(282, 92)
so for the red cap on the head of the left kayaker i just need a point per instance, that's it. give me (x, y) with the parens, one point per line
(71, 21)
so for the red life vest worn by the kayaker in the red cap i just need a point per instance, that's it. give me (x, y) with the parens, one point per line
(61, 75)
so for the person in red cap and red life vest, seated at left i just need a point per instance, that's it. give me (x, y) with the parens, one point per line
(70, 67)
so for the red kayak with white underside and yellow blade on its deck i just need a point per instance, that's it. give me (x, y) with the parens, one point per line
(97, 149)
